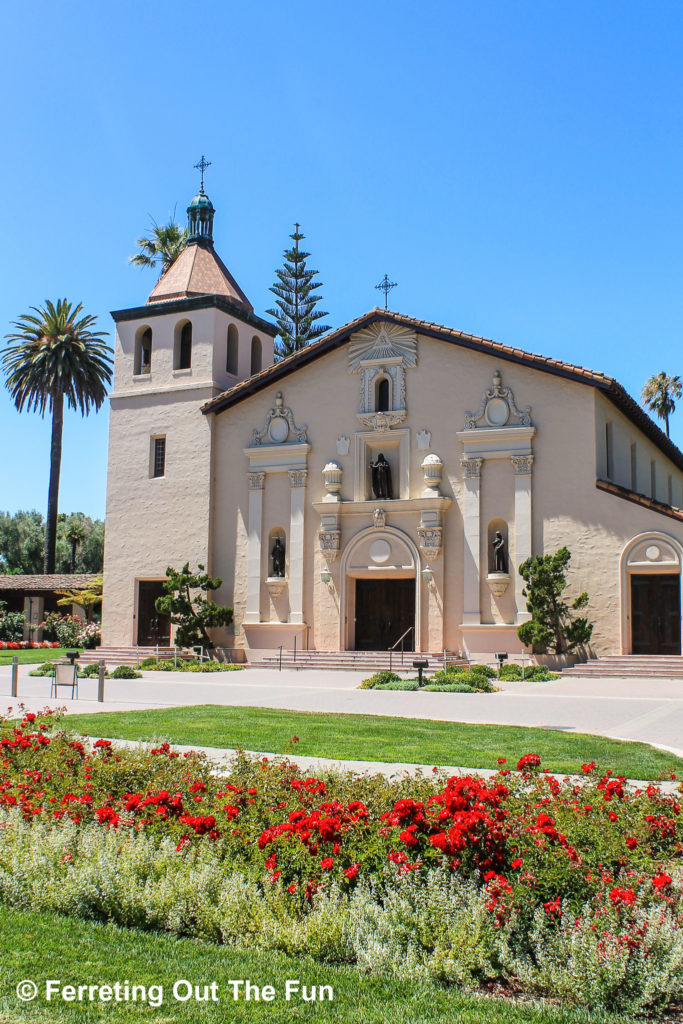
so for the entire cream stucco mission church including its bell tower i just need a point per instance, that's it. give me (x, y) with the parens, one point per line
(386, 482)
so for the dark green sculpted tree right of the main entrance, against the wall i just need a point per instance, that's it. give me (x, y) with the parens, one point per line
(551, 625)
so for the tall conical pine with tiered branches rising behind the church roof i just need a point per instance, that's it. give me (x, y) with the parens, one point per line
(295, 311)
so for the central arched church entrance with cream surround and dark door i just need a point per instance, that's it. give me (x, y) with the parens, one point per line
(380, 591)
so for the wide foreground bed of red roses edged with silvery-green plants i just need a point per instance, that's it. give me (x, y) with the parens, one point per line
(568, 888)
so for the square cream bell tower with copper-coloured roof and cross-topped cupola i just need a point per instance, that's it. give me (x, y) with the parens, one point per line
(196, 337)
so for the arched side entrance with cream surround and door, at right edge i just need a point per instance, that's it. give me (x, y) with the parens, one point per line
(652, 595)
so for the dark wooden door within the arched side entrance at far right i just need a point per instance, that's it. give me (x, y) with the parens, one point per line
(656, 615)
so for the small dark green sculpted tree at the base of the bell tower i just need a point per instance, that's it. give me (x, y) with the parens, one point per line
(187, 604)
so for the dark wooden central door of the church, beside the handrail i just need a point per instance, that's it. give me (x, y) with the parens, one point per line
(385, 610)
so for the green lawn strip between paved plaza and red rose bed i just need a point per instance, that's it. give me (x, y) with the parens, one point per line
(373, 738)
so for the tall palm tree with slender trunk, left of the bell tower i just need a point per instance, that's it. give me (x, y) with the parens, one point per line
(54, 357)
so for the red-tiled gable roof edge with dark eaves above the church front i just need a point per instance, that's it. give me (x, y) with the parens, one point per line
(559, 368)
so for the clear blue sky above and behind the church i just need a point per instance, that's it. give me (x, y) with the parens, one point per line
(516, 167)
